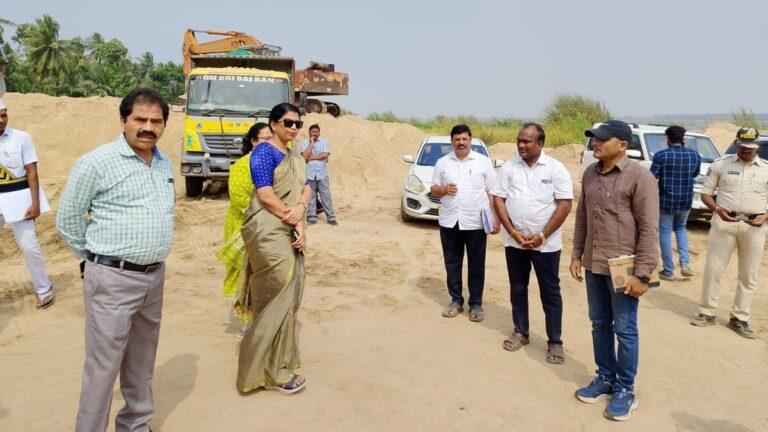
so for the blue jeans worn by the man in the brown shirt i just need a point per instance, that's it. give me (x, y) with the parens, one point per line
(612, 314)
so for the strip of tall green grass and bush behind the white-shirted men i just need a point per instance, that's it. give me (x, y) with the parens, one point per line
(565, 120)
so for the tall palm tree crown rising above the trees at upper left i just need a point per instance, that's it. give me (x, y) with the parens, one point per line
(45, 51)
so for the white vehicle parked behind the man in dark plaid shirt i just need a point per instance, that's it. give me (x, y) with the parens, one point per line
(649, 139)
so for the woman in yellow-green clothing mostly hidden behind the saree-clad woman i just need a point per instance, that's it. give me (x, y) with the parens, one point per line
(240, 192)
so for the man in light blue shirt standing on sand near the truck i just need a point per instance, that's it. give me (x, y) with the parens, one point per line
(316, 152)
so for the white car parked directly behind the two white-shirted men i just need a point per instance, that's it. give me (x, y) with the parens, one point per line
(417, 201)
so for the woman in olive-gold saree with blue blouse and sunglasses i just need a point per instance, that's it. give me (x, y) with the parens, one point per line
(273, 233)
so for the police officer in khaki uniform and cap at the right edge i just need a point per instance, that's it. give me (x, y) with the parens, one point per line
(741, 183)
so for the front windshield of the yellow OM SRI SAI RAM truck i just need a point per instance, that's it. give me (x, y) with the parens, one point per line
(235, 95)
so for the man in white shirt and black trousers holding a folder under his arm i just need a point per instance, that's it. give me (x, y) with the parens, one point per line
(462, 180)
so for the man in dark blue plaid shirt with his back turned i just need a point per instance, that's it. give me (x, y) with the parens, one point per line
(675, 168)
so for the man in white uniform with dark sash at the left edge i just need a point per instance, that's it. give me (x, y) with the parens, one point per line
(18, 172)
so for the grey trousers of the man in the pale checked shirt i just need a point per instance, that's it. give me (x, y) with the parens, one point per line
(122, 324)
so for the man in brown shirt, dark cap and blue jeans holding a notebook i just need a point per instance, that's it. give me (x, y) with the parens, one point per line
(618, 214)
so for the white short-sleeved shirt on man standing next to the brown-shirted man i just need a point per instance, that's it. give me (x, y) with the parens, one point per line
(530, 194)
